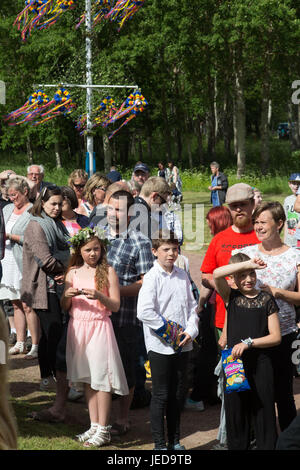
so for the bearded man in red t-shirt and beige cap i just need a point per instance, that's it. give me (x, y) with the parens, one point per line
(240, 200)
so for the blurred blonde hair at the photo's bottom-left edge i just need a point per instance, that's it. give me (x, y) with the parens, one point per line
(8, 428)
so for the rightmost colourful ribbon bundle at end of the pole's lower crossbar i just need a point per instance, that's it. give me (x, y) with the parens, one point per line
(133, 105)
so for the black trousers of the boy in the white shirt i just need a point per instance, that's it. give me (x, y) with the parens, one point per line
(168, 374)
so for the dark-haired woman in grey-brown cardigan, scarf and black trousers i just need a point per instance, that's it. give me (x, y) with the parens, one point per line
(45, 257)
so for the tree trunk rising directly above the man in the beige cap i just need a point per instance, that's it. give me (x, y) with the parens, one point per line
(240, 124)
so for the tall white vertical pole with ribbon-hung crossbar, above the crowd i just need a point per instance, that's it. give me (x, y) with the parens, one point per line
(89, 92)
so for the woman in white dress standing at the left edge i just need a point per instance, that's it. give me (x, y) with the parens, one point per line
(16, 218)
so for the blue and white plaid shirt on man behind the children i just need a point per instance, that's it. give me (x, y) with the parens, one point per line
(131, 257)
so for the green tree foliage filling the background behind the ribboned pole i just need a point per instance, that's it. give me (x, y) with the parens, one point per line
(176, 52)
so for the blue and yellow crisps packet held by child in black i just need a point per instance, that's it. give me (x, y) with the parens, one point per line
(235, 378)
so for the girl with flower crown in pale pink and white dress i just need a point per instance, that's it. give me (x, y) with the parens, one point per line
(91, 294)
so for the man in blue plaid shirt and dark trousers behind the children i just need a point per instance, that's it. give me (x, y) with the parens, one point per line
(130, 254)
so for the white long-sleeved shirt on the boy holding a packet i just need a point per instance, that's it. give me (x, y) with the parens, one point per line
(167, 295)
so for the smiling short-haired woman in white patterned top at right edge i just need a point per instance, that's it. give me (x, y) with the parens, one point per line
(281, 278)
